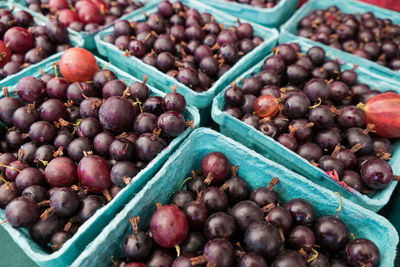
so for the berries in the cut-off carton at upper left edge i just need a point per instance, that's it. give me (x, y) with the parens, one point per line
(22, 43)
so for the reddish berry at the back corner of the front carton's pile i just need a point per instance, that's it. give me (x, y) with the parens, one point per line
(216, 164)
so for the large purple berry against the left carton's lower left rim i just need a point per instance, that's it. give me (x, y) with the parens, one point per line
(22, 211)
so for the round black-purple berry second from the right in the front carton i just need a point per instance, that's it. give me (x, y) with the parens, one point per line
(331, 233)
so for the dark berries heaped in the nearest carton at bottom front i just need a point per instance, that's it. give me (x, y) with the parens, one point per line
(227, 225)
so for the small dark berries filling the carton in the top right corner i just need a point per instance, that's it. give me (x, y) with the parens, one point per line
(364, 35)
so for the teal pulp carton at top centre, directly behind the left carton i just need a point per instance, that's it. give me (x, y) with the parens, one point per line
(202, 100)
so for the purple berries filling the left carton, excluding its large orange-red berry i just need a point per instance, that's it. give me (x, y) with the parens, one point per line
(84, 140)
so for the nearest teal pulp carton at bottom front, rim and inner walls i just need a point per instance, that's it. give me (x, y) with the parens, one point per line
(257, 171)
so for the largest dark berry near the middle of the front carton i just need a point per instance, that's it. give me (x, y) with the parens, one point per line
(263, 238)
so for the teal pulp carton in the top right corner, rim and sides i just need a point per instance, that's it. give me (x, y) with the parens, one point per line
(289, 31)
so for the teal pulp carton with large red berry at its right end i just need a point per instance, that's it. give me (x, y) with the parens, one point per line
(273, 150)
